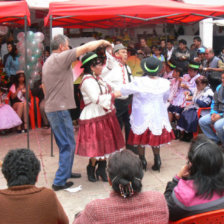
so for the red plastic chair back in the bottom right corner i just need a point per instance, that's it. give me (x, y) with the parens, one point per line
(212, 217)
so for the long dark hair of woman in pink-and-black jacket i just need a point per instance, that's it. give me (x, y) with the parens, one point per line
(207, 167)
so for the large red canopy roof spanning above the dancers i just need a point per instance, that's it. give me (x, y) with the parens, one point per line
(123, 13)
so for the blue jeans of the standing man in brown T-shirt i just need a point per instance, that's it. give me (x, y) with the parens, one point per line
(61, 124)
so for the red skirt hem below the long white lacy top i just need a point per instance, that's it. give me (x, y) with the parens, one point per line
(147, 138)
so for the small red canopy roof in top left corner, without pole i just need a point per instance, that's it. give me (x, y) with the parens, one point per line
(13, 13)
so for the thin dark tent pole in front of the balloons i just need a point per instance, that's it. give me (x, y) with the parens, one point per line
(27, 83)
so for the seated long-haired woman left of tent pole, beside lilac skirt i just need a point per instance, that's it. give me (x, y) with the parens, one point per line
(18, 99)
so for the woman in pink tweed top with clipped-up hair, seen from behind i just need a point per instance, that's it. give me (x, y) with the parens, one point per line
(126, 203)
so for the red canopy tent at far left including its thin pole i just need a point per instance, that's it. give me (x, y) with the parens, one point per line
(16, 13)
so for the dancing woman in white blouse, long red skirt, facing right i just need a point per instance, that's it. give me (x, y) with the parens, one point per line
(99, 131)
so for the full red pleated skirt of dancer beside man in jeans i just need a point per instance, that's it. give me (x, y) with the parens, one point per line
(99, 136)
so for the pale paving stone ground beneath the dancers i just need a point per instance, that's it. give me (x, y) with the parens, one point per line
(173, 158)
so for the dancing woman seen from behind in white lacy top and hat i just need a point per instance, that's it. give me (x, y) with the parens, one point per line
(149, 118)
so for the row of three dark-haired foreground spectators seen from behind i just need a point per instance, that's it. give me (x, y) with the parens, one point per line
(197, 188)
